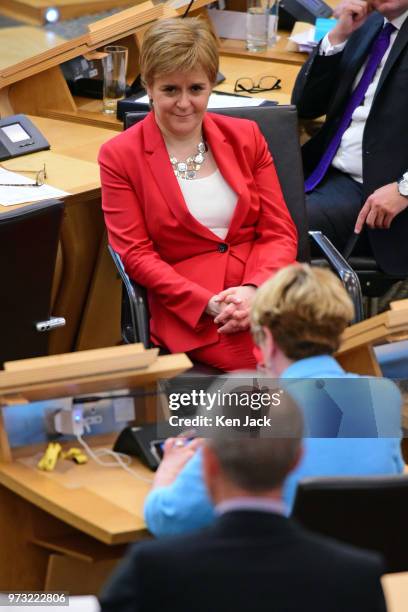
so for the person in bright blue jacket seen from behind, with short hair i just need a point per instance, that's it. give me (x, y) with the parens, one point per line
(297, 319)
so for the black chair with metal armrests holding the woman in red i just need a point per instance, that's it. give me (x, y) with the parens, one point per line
(280, 128)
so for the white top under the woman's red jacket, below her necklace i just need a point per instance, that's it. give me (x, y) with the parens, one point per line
(211, 201)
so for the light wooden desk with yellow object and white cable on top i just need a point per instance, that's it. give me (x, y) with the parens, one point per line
(72, 521)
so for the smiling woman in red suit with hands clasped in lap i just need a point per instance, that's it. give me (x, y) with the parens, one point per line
(192, 203)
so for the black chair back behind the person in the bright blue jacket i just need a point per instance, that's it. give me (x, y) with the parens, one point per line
(369, 512)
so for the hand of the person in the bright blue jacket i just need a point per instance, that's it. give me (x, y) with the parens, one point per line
(176, 453)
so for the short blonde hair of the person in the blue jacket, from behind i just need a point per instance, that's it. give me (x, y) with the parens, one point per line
(306, 310)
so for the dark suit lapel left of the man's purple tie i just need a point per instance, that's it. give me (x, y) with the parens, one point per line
(356, 56)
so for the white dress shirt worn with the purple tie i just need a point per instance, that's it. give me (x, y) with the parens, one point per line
(349, 156)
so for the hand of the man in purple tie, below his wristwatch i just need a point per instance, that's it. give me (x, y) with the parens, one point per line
(381, 207)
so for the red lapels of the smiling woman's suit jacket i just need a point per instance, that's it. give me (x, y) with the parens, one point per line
(162, 172)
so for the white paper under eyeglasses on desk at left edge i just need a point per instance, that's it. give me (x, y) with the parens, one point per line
(20, 195)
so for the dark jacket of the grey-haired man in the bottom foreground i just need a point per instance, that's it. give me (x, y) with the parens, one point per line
(247, 561)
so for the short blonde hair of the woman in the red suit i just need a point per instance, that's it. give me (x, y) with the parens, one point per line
(178, 45)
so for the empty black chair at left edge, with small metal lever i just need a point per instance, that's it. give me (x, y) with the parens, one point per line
(28, 249)
